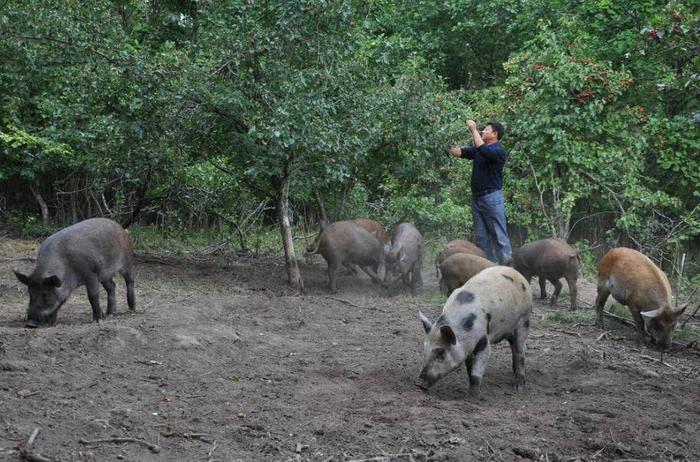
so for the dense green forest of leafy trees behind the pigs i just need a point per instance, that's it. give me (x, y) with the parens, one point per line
(237, 116)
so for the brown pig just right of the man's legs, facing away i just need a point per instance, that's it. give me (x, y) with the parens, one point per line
(549, 259)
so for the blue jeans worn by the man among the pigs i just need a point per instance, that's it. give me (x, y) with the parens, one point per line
(490, 232)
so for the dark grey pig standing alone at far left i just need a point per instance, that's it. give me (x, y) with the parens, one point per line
(87, 253)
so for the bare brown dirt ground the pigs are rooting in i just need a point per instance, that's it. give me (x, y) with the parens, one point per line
(222, 362)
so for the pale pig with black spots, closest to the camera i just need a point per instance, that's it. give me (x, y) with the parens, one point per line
(492, 306)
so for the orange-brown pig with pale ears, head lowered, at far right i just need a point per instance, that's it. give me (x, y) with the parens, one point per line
(635, 281)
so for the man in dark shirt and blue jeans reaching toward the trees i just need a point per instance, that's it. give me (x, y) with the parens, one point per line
(488, 209)
